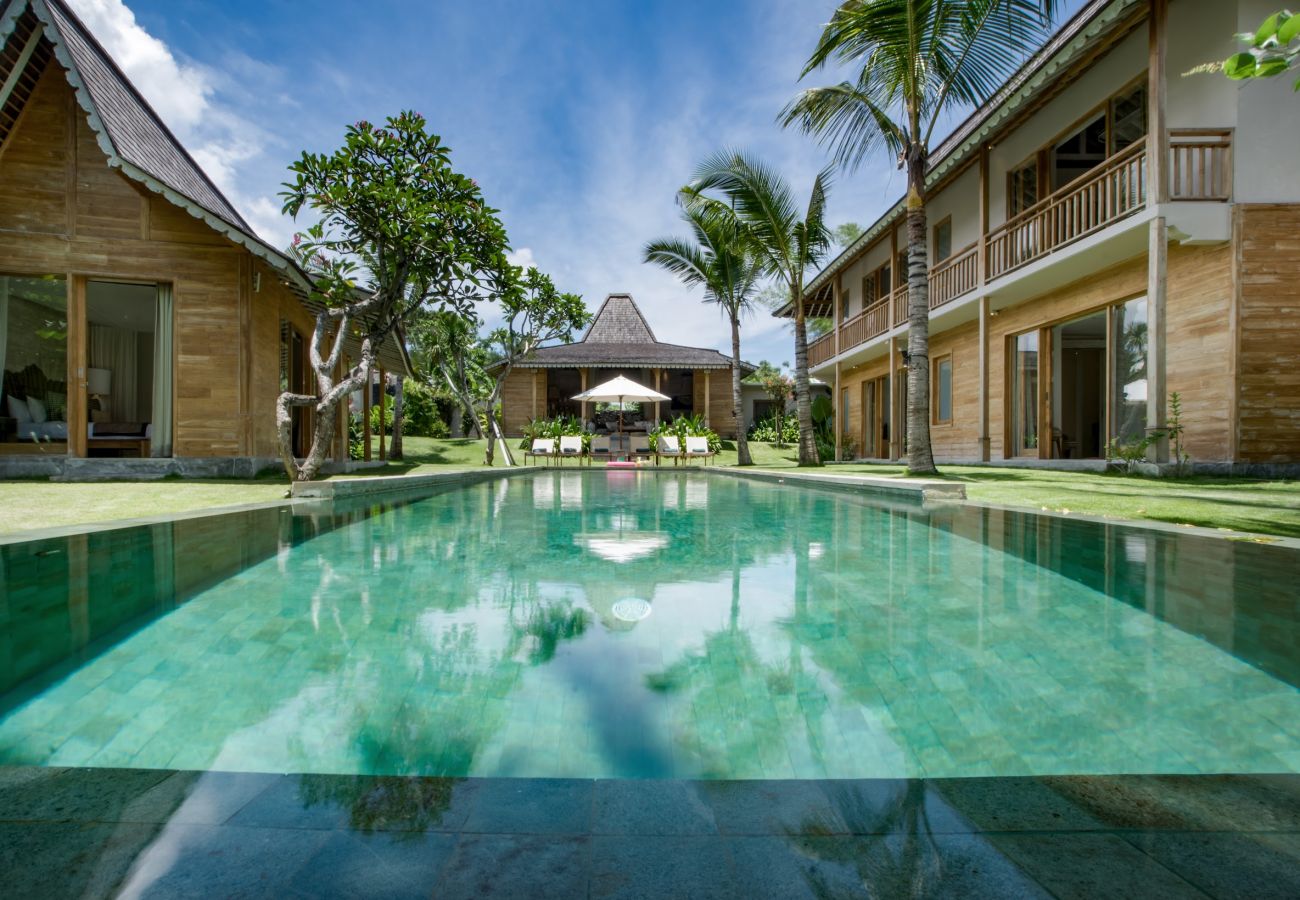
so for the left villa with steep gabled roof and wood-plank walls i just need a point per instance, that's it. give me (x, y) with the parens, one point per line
(140, 313)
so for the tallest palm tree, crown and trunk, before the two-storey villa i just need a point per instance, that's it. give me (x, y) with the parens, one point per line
(921, 62)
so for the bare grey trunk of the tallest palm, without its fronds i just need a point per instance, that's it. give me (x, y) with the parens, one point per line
(921, 460)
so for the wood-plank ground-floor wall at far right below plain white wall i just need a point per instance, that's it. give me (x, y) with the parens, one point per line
(1269, 334)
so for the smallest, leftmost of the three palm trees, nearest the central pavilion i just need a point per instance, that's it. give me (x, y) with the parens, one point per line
(727, 270)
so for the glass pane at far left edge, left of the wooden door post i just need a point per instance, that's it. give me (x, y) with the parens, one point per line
(34, 364)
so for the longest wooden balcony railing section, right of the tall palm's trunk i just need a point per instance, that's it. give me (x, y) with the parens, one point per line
(1111, 192)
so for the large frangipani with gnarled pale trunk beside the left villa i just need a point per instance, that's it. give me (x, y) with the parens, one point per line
(398, 231)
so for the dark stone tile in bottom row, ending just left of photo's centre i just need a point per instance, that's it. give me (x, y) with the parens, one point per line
(526, 867)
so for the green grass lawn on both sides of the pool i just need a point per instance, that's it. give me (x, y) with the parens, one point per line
(1267, 508)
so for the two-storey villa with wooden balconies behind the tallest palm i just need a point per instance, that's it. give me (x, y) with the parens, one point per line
(1103, 233)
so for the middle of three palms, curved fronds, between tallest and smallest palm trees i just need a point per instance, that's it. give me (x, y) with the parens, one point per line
(787, 243)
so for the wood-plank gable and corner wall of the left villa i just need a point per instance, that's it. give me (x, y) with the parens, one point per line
(64, 210)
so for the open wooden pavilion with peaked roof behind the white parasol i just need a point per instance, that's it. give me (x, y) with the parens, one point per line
(618, 343)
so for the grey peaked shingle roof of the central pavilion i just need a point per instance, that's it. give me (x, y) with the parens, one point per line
(621, 337)
